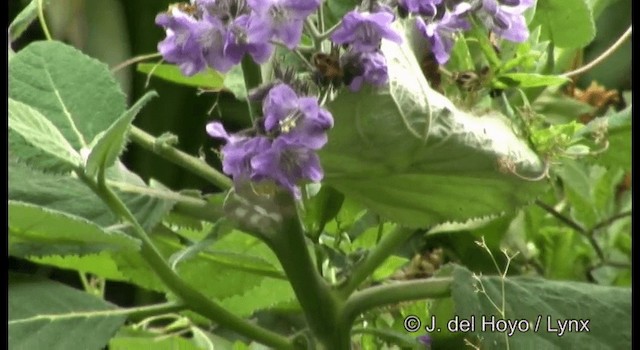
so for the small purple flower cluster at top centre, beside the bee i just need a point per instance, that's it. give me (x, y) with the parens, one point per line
(363, 32)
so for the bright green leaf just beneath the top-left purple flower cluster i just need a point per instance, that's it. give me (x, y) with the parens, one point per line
(209, 79)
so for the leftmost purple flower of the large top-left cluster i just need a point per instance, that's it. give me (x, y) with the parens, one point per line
(181, 46)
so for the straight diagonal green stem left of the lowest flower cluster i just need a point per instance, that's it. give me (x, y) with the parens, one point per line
(193, 164)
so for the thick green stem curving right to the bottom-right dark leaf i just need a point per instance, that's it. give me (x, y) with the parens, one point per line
(395, 293)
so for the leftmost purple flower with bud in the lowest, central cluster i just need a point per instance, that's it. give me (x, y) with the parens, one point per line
(238, 151)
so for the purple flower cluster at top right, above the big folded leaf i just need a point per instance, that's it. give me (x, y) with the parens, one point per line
(440, 23)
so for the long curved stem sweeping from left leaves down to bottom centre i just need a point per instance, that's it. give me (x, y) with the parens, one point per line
(196, 301)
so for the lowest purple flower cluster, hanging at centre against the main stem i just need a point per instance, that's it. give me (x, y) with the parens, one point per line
(283, 152)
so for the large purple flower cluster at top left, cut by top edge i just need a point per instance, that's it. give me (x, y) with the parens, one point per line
(218, 33)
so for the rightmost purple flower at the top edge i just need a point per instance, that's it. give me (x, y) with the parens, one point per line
(504, 17)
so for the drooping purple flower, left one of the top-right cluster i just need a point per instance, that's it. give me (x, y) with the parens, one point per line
(440, 33)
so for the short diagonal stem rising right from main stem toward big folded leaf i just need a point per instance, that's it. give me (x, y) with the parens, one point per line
(377, 256)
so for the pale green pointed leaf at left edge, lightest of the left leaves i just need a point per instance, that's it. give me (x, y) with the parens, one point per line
(41, 133)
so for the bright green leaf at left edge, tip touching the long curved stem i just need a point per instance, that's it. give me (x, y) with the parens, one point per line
(35, 230)
